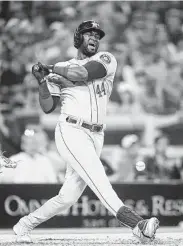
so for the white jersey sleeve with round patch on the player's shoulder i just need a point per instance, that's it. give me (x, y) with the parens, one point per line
(110, 63)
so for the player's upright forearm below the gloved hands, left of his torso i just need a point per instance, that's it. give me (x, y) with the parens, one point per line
(45, 98)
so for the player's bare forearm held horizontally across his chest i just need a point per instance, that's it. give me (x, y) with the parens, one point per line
(74, 73)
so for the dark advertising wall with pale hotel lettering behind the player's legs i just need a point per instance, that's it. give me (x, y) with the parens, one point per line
(164, 201)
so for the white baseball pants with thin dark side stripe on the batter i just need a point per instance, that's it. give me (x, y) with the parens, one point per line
(81, 149)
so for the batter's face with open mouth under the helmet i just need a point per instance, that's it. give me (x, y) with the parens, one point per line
(90, 43)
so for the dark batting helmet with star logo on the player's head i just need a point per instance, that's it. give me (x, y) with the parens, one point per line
(84, 27)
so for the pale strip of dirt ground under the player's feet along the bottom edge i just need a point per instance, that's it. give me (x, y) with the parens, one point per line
(92, 237)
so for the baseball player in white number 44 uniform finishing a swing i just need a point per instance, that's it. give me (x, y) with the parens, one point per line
(83, 85)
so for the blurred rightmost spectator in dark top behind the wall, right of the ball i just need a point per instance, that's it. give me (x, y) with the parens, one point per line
(159, 166)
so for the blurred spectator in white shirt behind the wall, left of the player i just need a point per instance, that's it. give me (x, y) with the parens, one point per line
(34, 166)
